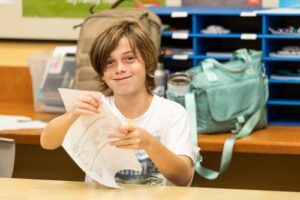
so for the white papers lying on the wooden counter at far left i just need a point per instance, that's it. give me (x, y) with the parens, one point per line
(14, 122)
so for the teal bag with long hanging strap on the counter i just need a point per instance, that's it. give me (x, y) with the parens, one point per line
(226, 97)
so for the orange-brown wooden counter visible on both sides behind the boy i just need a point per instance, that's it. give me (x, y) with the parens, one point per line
(274, 139)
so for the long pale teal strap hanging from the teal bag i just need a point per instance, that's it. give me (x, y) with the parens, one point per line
(190, 105)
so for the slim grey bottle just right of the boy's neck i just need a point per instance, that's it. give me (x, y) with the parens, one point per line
(161, 80)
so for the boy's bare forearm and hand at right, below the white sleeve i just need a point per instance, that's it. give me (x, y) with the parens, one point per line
(176, 168)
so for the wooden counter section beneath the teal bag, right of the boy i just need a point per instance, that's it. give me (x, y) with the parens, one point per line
(273, 140)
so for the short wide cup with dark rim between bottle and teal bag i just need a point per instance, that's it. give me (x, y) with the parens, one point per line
(179, 83)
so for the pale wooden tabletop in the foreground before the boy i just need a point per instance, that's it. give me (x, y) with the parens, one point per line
(46, 189)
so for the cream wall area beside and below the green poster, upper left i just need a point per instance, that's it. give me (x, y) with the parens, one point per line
(15, 26)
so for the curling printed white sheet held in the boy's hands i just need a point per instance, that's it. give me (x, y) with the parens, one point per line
(88, 146)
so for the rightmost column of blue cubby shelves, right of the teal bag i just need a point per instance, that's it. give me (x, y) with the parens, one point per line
(284, 100)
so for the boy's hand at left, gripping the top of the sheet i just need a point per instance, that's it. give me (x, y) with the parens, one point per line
(86, 104)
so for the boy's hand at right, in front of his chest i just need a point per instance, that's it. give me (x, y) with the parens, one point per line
(130, 137)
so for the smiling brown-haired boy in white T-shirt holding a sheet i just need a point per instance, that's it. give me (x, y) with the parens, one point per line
(125, 59)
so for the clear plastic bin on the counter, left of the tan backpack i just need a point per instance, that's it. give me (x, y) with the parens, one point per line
(47, 75)
